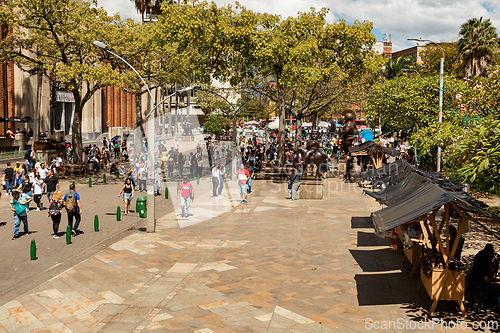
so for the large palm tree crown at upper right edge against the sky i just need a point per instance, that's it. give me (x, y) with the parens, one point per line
(478, 40)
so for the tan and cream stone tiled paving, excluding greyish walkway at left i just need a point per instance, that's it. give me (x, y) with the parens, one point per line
(269, 266)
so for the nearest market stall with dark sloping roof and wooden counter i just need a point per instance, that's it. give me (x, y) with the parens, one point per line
(428, 242)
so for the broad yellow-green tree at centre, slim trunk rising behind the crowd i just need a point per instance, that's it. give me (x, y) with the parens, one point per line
(307, 52)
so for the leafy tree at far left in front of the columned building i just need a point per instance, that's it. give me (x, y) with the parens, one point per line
(54, 38)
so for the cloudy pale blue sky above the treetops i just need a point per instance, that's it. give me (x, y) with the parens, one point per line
(397, 20)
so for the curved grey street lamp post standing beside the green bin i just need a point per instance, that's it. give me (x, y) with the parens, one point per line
(150, 222)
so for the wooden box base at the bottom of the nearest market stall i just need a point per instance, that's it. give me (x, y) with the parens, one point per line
(454, 286)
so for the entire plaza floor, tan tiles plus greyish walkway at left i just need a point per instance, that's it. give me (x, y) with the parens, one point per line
(272, 265)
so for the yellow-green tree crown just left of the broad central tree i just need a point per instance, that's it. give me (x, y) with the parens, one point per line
(210, 42)
